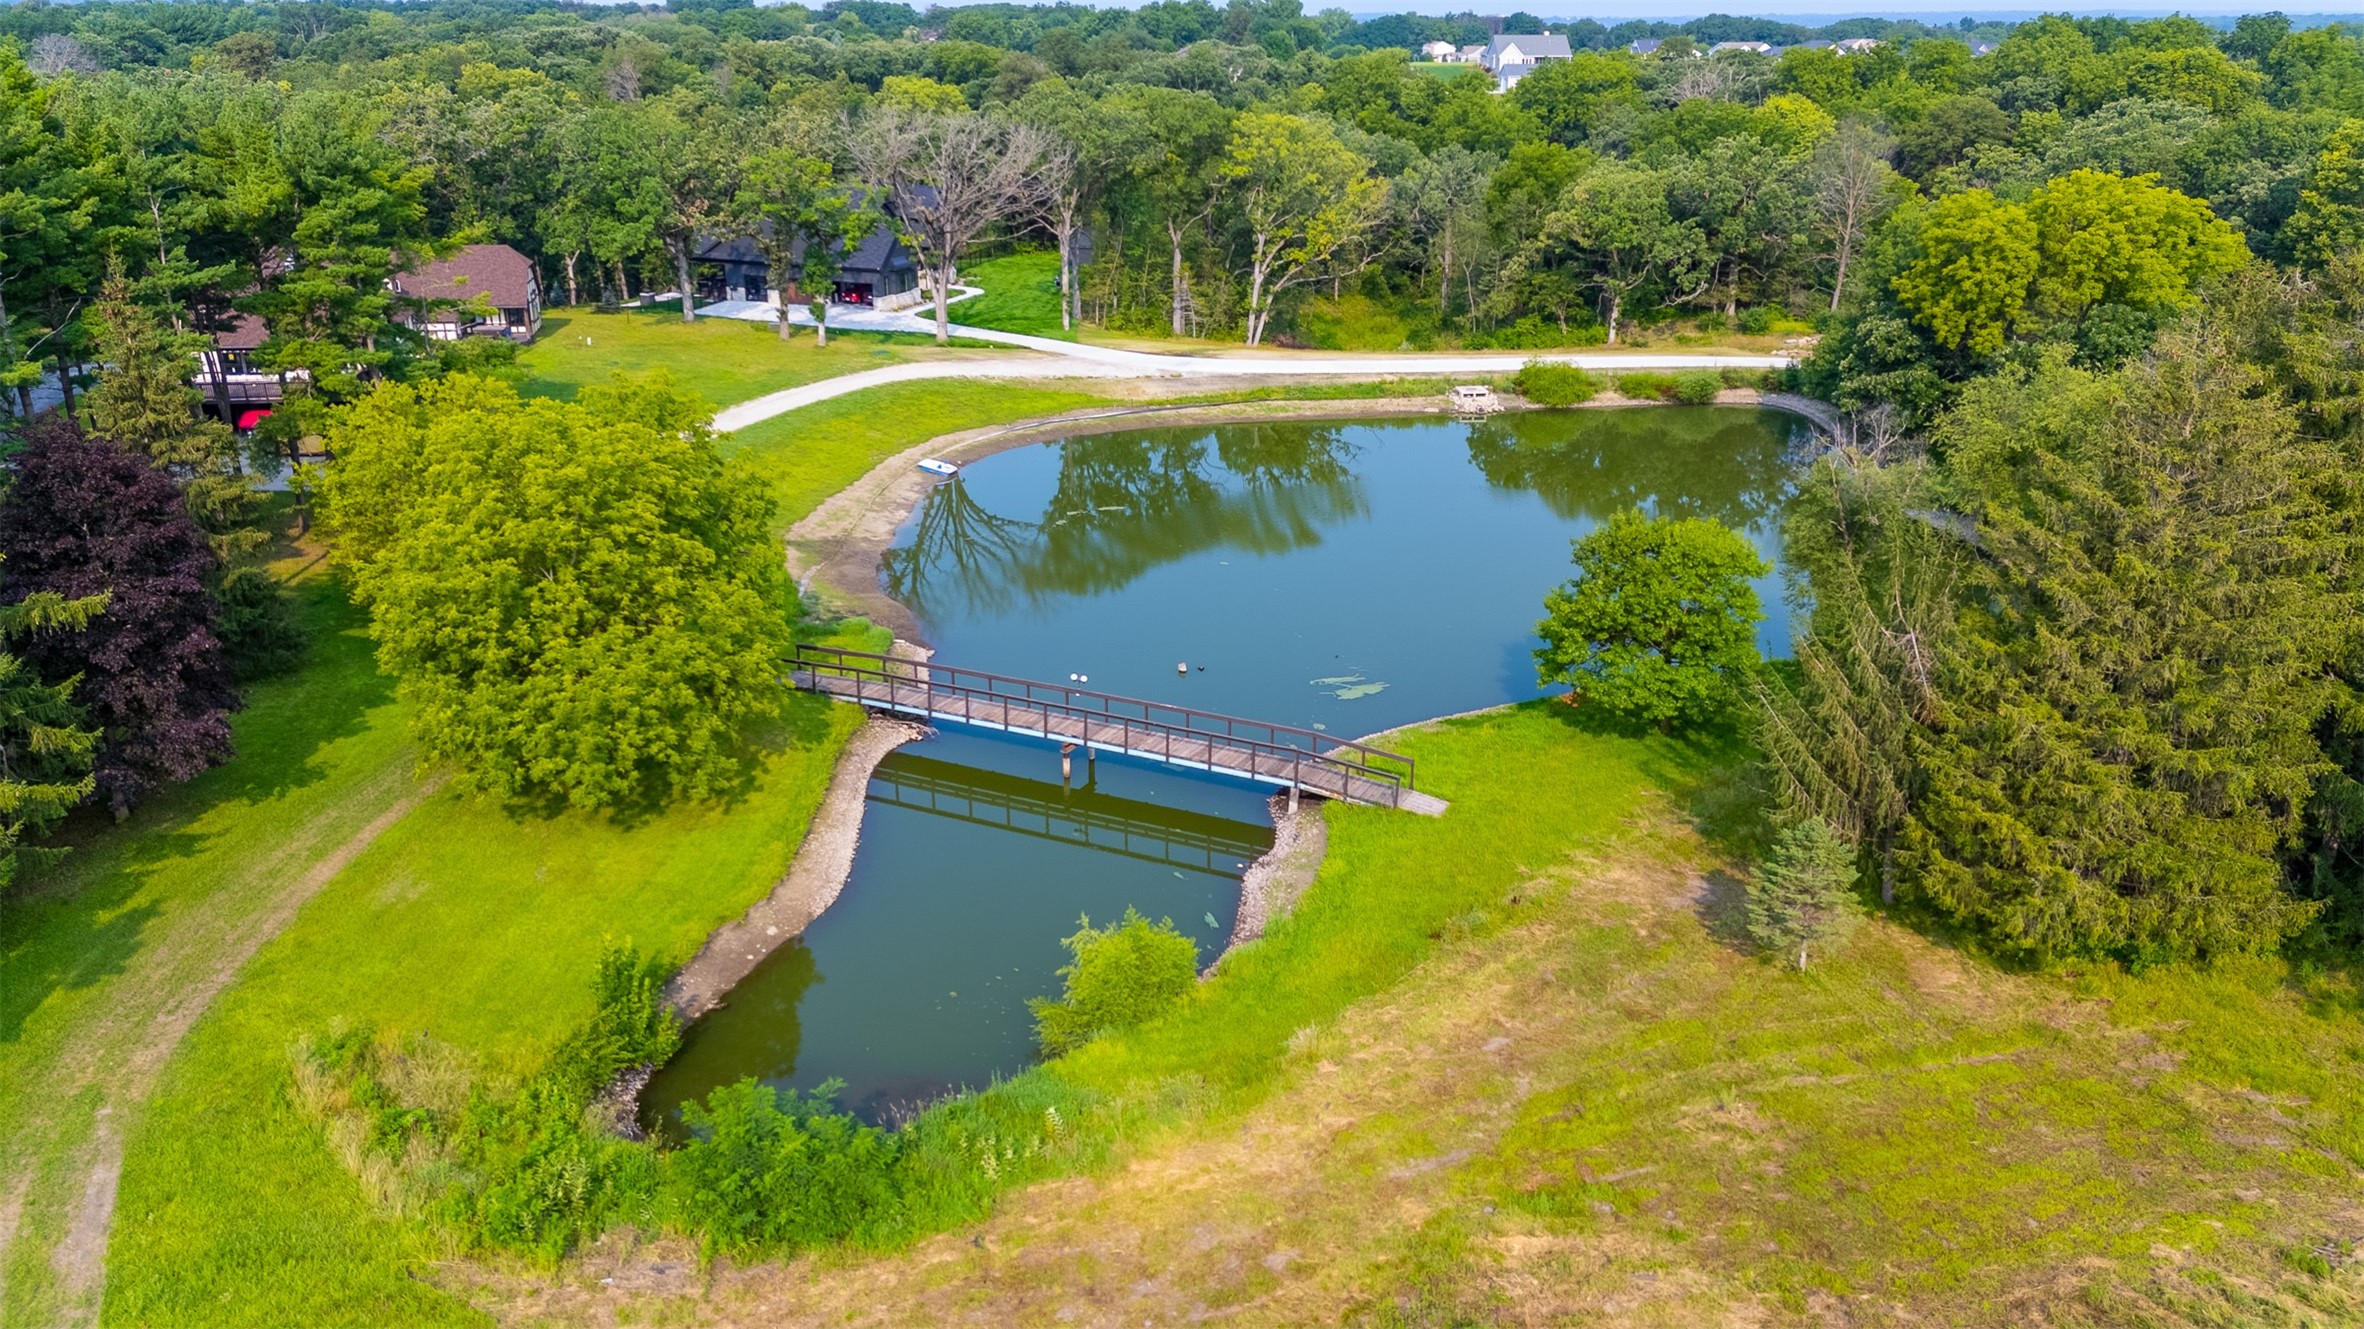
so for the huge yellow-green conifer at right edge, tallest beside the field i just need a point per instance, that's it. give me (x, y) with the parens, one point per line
(2141, 661)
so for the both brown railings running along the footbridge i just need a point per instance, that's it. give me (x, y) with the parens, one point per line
(1112, 720)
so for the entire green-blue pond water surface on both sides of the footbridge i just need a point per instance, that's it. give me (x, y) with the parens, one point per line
(1339, 576)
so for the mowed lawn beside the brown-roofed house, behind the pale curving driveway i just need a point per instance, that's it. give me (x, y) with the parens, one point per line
(722, 361)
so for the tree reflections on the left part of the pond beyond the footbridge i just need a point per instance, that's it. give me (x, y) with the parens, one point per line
(1124, 505)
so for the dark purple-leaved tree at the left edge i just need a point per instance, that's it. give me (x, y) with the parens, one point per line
(91, 519)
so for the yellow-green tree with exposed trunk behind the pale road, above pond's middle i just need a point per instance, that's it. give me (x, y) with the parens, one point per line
(1301, 197)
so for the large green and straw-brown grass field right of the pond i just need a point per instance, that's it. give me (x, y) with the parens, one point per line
(1517, 1068)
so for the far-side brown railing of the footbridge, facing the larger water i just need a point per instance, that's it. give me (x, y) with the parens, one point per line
(1266, 739)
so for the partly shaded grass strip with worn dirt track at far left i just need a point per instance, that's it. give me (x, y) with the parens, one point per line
(119, 954)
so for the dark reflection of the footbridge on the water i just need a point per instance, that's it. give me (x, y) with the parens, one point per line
(1084, 815)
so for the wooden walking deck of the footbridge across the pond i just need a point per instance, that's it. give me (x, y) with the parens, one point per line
(1150, 741)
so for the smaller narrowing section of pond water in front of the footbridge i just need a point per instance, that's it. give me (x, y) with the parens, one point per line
(970, 874)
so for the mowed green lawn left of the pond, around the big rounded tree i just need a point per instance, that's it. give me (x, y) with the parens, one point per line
(460, 919)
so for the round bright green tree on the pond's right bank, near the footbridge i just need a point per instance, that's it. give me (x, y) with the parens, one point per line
(1661, 621)
